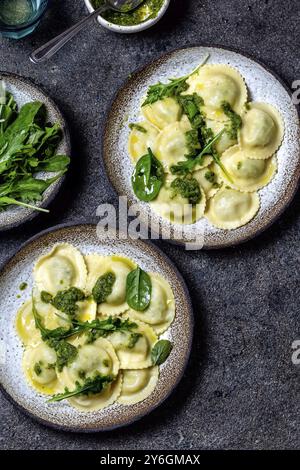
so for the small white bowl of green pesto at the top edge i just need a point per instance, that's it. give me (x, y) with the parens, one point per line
(143, 17)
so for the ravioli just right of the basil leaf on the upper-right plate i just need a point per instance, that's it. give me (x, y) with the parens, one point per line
(170, 146)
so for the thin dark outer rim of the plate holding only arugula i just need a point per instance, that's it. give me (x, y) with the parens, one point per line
(67, 138)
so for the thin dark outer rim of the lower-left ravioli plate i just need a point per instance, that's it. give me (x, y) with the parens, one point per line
(180, 278)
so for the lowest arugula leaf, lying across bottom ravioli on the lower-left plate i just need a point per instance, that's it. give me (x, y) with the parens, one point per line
(90, 386)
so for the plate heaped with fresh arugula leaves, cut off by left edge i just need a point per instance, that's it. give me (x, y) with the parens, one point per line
(34, 151)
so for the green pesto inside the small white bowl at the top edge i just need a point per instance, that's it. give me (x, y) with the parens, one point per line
(147, 10)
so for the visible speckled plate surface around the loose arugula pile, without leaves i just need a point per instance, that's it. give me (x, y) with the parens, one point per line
(25, 91)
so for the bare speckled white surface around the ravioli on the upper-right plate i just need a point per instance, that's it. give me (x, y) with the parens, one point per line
(262, 84)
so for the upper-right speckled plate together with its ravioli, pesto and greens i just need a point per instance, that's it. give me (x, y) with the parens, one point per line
(211, 152)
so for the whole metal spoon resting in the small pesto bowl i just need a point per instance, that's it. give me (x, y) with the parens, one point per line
(53, 46)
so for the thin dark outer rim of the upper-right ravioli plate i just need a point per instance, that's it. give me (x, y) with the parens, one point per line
(169, 53)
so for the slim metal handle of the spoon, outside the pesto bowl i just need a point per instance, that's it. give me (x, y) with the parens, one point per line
(53, 46)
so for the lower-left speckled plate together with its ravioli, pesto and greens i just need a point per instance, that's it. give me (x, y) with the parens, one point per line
(99, 329)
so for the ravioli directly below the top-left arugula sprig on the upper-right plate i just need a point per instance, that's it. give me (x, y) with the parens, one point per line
(162, 113)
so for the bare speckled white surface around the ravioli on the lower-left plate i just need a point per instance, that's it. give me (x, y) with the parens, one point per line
(61, 415)
